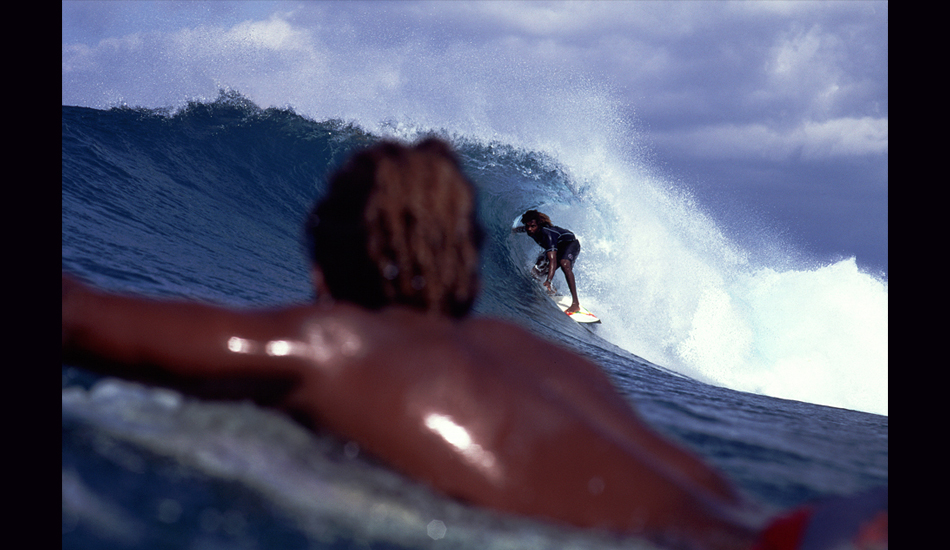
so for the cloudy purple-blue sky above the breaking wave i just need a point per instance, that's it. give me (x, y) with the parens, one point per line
(772, 113)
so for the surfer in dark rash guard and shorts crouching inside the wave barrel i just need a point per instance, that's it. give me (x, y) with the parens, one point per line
(560, 246)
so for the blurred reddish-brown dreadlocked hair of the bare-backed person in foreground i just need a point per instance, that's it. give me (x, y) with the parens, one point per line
(398, 226)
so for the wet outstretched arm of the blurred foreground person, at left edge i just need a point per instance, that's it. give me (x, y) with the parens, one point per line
(198, 348)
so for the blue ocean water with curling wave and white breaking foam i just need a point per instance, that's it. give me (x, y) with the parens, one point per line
(726, 350)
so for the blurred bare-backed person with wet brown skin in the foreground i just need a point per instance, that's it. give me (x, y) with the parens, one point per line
(387, 357)
